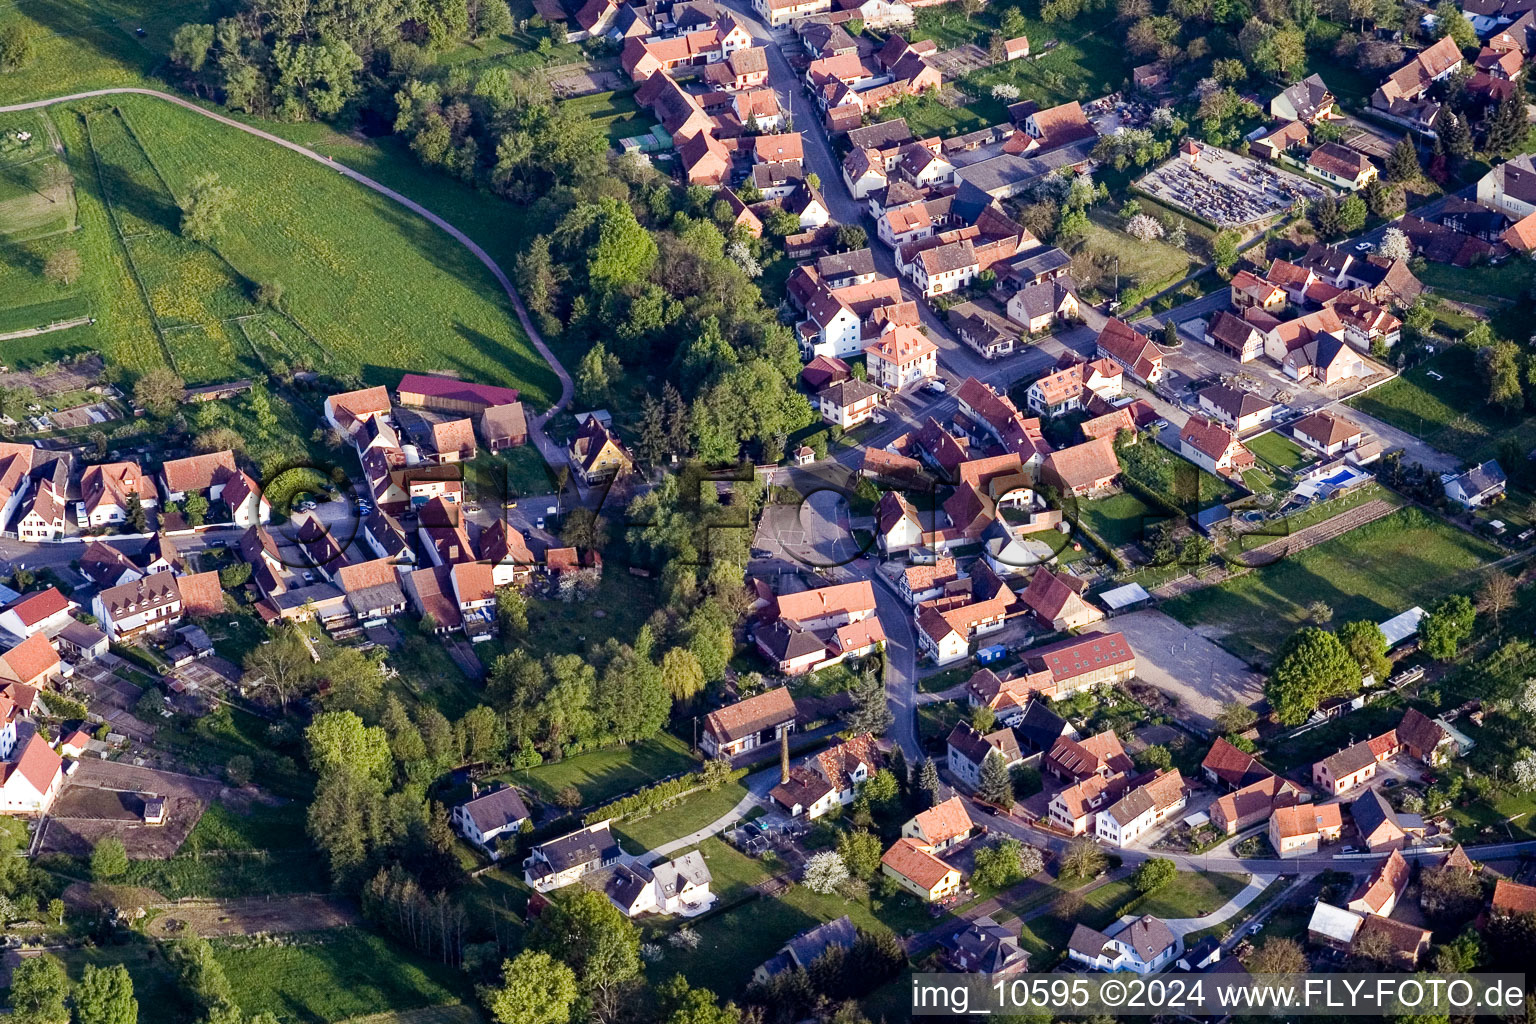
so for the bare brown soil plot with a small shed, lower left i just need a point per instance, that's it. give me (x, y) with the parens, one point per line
(108, 799)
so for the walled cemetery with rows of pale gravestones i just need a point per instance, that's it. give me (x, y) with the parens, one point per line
(1226, 190)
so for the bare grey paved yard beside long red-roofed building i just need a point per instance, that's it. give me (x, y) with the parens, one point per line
(1188, 667)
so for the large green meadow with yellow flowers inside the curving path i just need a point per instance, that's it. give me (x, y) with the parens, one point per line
(372, 289)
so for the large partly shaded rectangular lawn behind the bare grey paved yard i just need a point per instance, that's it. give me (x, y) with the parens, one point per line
(1371, 573)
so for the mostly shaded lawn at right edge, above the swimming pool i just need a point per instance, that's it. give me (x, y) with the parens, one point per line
(1449, 414)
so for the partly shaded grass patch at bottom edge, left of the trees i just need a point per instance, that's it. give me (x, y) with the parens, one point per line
(336, 976)
